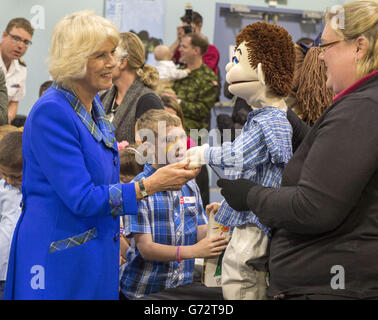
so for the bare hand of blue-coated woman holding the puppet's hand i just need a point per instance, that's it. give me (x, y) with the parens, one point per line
(170, 177)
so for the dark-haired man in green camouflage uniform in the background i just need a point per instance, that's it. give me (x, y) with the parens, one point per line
(200, 90)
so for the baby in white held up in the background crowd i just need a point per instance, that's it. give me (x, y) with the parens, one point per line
(166, 68)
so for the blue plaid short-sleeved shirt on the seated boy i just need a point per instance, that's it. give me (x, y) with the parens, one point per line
(172, 218)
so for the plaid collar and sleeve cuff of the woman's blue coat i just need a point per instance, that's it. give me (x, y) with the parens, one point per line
(101, 129)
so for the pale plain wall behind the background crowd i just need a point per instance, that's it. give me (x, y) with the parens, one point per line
(54, 10)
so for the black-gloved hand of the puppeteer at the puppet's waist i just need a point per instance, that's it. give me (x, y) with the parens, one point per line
(235, 192)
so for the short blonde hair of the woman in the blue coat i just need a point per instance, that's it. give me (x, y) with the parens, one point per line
(74, 39)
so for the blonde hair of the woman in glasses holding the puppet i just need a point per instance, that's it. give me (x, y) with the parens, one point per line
(360, 18)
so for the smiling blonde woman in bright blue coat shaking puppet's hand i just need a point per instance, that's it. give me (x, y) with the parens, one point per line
(66, 243)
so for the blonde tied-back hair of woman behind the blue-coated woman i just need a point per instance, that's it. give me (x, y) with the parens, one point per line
(132, 48)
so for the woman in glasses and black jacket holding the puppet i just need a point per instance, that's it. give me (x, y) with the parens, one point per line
(325, 215)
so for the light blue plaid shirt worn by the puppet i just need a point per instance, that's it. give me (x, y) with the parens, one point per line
(259, 154)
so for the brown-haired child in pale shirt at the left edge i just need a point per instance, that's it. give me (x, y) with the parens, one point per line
(10, 196)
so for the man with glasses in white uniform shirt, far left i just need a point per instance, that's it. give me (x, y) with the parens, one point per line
(15, 41)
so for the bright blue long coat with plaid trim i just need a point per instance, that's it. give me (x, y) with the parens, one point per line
(66, 243)
